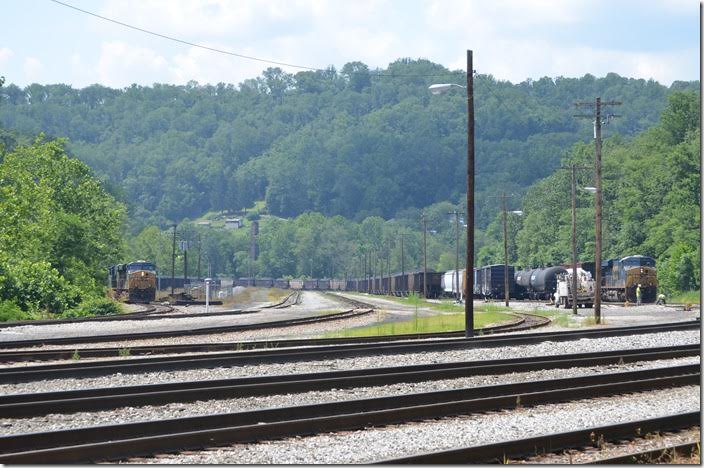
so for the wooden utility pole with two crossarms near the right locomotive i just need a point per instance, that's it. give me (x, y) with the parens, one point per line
(597, 121)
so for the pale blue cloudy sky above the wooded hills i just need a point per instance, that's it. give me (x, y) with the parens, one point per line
(44, 42)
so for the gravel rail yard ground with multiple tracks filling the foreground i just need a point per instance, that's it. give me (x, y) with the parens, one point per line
(263, 384)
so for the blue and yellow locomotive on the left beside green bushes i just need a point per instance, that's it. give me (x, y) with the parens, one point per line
(133, 282)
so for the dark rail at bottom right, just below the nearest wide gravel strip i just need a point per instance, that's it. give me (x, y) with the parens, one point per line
(500, 452)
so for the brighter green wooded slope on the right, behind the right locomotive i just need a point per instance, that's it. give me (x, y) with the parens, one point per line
(652, 187)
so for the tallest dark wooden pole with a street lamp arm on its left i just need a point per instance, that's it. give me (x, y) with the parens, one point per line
(469, 268)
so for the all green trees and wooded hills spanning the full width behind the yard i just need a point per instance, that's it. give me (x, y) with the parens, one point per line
(339, 166)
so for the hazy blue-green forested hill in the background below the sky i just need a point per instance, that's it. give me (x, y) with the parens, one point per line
(354, 142)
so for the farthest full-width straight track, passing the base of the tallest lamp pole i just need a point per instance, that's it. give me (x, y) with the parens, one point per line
(275, 351)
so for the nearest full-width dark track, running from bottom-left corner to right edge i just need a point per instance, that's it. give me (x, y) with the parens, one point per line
(144, 438)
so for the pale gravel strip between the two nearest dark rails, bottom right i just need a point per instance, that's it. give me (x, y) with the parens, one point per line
(375, 444)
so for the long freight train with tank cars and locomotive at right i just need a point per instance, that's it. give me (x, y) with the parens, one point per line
(620, 277)
